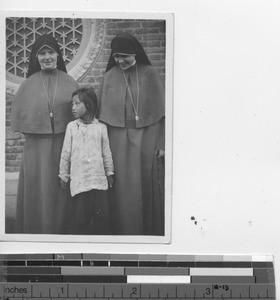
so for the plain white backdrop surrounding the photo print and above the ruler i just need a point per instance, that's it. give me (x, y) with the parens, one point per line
(226, 154)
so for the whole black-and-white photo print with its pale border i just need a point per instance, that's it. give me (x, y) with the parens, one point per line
(86, 129)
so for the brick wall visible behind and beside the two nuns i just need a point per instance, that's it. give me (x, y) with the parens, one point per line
(150, 33)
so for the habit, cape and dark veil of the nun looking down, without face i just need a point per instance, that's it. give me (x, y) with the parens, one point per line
(132, 104)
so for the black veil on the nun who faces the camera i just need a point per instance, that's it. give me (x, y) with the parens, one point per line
(44, 40)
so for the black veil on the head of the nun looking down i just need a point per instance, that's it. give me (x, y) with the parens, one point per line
(119, 41)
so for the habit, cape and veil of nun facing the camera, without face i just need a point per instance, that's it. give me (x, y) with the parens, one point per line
(41, 110)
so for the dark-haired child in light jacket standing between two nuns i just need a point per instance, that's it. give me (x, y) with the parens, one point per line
(86, 162)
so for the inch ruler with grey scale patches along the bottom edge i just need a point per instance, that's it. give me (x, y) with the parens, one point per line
(128, 276)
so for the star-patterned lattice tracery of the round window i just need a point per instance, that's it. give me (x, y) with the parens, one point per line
(22, 32)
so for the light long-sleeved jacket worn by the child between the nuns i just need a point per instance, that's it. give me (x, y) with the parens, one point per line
(86, 157)
